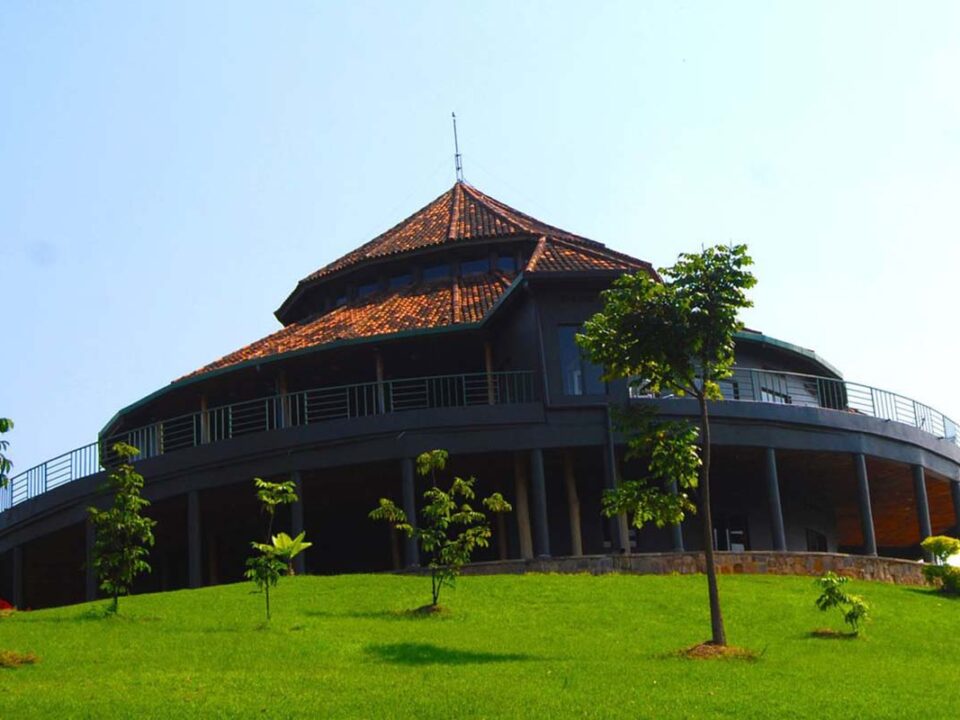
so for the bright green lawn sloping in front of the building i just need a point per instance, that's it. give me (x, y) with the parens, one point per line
(541, 646)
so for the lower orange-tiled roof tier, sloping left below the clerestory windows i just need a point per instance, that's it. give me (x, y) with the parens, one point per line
(448, 302)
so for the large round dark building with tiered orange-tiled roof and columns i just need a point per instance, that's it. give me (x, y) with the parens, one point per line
(455, 329)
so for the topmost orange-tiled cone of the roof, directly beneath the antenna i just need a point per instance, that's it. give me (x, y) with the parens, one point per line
(461, 213)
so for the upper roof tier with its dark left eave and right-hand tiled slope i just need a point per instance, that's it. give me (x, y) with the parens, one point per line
(462, 215)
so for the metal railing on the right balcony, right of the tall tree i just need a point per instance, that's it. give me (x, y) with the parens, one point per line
(786, 388)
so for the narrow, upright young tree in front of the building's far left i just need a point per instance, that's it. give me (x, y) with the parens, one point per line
(123, 535)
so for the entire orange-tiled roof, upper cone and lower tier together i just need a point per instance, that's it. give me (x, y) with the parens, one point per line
(455, 301)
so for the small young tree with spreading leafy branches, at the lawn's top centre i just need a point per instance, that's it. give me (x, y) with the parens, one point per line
(451, 529)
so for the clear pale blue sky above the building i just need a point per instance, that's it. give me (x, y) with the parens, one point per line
(168, 171)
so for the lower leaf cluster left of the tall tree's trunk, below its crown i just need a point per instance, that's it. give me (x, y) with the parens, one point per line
(670, 450)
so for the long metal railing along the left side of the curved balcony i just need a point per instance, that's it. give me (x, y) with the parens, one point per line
(306, 407)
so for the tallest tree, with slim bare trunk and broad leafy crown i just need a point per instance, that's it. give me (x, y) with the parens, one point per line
(677, 336)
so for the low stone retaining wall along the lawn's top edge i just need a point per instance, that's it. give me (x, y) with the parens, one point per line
(901, 572)
